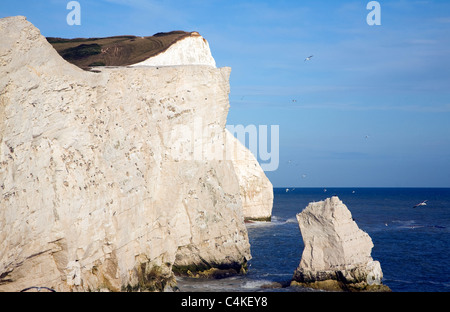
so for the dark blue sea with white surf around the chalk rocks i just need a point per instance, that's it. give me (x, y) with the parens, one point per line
(411, 244)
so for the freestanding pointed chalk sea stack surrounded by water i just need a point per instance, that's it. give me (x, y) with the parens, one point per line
(337, 254)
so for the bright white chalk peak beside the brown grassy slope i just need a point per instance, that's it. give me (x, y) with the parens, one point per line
(191, 50)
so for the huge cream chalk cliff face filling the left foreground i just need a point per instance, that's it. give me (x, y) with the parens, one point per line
(108, 180)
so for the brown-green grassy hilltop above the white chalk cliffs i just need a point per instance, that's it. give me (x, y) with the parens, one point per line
(114, 51)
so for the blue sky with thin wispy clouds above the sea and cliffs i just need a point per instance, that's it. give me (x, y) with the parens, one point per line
(371, 108)
